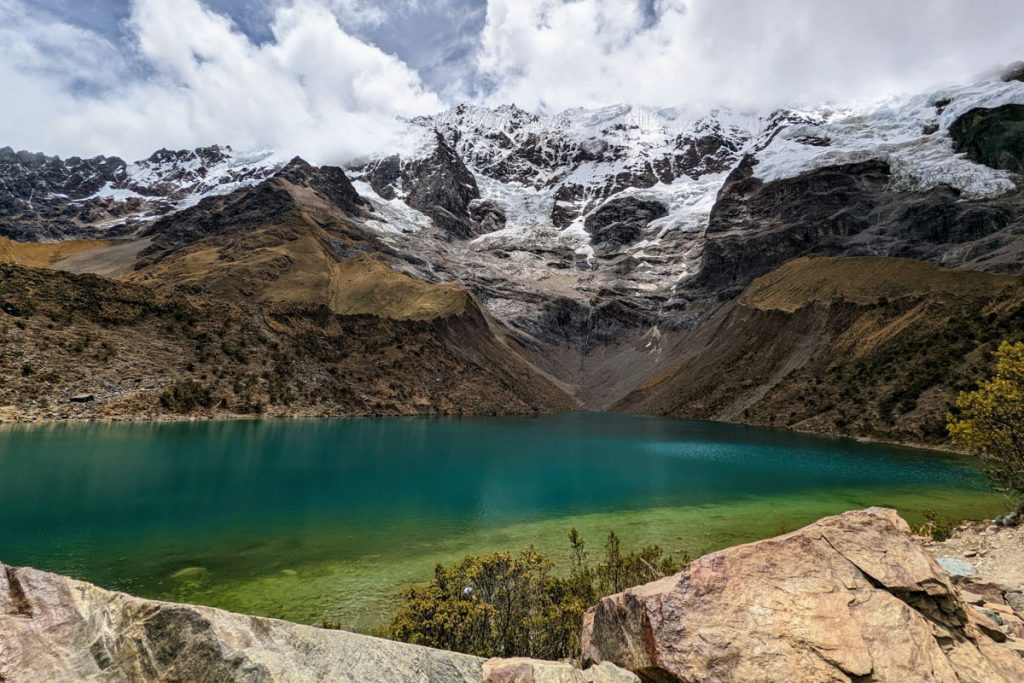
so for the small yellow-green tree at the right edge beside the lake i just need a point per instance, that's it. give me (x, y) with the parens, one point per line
(991, 422)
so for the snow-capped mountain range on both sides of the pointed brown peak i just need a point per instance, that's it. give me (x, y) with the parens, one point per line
(620, 217)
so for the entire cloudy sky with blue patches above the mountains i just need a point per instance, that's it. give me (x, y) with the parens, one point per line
(330, 79)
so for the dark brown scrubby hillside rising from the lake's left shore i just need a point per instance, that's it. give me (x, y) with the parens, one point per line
(124, 350)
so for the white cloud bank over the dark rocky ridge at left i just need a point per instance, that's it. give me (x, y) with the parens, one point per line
(195, 79)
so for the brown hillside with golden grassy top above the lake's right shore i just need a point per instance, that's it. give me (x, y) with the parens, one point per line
(862, 347)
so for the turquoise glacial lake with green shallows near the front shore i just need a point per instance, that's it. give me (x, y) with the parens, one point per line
(327, 520)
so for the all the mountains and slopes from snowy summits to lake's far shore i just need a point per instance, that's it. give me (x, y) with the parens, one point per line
(834, 271)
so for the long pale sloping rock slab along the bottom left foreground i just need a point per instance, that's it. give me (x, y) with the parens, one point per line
(58, 629)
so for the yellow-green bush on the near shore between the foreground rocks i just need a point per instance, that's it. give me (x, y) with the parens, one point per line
(519, 606)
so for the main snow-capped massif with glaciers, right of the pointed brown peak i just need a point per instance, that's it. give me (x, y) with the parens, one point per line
(621, 202)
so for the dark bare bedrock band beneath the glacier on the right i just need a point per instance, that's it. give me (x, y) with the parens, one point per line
(850, 210)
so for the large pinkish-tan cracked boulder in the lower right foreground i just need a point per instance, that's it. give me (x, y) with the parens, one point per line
(848, 599)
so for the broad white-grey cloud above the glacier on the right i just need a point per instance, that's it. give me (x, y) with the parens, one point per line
(552, 55)
